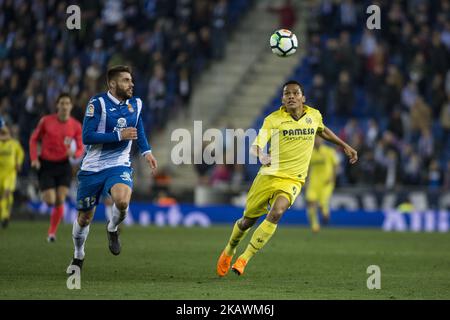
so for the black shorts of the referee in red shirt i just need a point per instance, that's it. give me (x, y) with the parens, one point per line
(54, 174)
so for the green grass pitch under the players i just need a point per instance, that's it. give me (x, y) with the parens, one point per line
(179, 263)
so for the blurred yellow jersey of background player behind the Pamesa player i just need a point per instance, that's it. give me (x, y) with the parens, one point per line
(324, 160)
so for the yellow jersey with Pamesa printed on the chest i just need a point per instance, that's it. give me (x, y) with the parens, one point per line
(291, 142)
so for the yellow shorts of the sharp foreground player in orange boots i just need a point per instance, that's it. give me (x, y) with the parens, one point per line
(265, 189)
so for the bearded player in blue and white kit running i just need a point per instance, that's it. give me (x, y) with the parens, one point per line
(111, 122)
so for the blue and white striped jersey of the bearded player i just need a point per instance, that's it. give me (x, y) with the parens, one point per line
(105, 117)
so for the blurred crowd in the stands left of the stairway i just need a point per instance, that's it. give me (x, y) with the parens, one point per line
(167, 44)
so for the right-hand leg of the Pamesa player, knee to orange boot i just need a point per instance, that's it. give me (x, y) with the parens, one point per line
(264, 231)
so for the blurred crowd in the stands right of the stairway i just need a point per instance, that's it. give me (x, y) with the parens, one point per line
(386, 91)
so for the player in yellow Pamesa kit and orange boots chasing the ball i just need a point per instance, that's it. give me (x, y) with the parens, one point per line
(291, 131)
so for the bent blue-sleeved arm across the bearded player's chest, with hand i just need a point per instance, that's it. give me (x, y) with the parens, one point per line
(90, 125)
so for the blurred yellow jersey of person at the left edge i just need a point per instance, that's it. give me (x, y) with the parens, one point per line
(11, 156)
